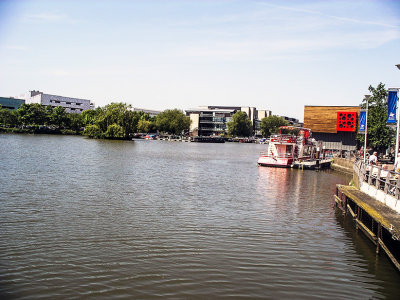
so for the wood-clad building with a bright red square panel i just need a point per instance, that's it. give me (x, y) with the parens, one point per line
(335, 126)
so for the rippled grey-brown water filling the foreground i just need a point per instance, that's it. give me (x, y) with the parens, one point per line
(84, 218)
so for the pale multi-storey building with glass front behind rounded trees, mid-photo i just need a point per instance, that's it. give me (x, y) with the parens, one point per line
(212, 120)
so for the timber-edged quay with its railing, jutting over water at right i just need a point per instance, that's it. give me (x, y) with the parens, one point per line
(373, 203)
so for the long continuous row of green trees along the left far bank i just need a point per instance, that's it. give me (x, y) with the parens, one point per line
(114, 121)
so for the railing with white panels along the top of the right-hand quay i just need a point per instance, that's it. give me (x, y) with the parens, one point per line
(379, 177)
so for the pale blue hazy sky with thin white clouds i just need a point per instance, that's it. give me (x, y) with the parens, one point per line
(276, 55)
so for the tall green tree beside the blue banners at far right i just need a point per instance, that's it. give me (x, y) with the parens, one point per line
(379, 135)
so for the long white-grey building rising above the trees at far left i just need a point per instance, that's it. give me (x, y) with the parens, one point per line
(71, 105)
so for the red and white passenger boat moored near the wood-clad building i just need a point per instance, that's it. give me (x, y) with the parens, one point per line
(292, 144)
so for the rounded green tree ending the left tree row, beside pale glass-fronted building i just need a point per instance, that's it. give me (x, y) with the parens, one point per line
(172, 121)
